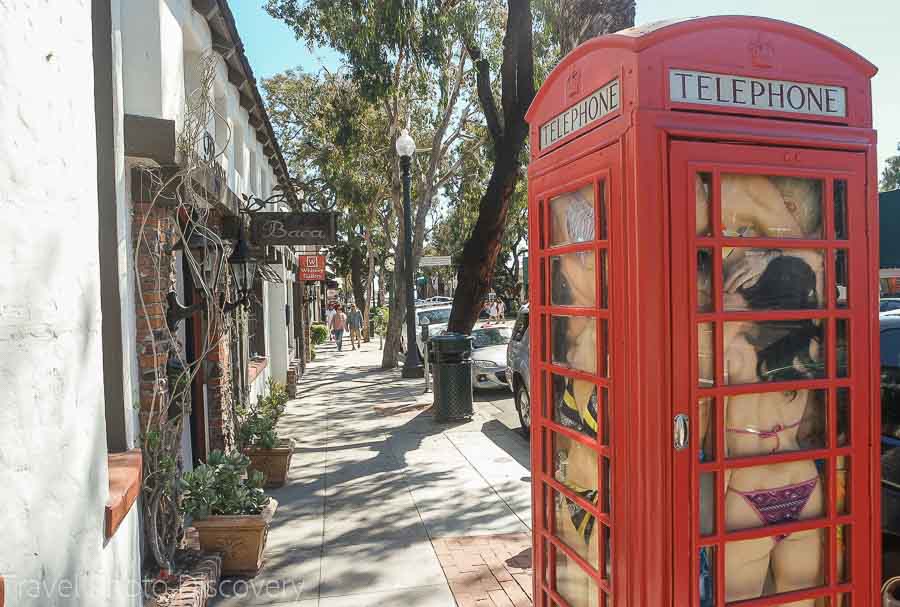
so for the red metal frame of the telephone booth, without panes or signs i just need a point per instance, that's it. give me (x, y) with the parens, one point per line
(643, 155)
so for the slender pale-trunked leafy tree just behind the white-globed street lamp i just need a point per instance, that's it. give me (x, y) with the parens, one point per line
(406, 58)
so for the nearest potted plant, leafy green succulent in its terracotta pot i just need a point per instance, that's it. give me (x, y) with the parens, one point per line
(229, 510)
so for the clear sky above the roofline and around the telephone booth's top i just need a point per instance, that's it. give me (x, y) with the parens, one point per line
(867, 26)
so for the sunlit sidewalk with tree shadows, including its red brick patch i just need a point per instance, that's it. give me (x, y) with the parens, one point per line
(385, 507)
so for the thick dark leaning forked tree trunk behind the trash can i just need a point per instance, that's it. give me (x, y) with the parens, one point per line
(508, 134)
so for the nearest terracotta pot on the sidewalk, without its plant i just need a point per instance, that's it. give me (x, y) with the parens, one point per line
(239, 539)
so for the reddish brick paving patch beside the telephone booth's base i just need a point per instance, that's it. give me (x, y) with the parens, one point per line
(488, 570)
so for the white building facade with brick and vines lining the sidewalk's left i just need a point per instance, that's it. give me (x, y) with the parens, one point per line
(135, 139)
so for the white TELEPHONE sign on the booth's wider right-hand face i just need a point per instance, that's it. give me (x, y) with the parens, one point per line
(742, 92)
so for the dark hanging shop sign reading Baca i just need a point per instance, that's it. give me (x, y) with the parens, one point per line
(293, 228)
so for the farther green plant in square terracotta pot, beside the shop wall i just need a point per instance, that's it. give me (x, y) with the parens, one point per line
(258, 437)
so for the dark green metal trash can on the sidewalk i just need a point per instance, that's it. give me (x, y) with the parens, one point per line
(452, 356)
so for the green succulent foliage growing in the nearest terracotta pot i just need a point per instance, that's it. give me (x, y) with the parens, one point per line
(219, 487)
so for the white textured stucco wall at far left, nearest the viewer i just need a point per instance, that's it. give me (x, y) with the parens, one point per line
(52, 431)
